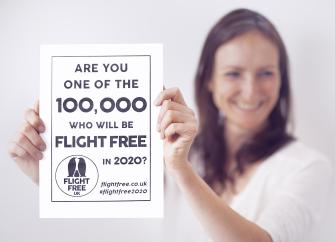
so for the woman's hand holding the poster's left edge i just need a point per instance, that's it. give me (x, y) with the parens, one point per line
(26, 148)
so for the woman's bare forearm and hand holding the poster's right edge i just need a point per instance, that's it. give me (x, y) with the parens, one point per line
(178, 127)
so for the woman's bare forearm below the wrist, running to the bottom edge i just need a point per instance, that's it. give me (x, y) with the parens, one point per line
(220, 221)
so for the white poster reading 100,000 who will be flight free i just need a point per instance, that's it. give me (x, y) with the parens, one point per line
(104, 157)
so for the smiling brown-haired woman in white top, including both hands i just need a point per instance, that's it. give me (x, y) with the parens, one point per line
(254, 181)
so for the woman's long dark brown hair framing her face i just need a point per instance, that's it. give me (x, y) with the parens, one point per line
(210, 142)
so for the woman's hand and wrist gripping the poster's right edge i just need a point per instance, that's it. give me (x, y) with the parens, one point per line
(177, 125)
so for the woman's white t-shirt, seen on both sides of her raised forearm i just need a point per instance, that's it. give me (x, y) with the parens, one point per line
(286, 196)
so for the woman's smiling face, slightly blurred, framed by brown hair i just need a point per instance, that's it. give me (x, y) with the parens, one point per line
(246, 80)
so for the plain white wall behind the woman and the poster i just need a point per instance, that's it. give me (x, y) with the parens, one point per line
(306, 27)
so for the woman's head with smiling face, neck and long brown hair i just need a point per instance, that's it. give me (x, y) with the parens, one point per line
(242, 81)
